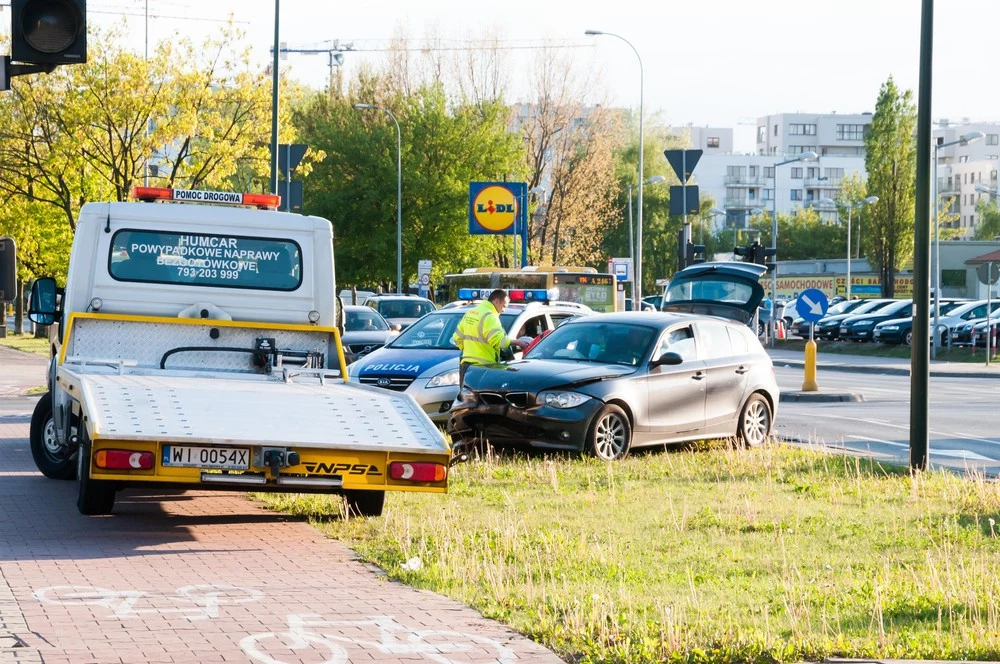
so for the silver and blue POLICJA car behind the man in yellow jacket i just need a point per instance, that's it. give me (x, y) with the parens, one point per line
(423, 360)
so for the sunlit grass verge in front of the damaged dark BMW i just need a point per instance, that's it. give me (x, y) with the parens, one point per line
(707, 555)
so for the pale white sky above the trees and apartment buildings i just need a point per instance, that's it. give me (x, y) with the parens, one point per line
(719, 63)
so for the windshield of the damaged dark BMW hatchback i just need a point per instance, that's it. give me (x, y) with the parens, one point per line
(601, 343)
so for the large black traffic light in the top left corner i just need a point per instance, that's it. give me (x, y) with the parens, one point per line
(49, 32)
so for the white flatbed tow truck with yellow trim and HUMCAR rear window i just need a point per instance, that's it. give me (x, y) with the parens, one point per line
(198, 348)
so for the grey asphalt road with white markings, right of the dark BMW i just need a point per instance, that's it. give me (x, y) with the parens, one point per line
(962, 418)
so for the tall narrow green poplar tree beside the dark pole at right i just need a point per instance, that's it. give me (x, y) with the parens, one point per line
(890, 160)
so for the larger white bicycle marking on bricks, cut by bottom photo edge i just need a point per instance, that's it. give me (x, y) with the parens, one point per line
(309, 631)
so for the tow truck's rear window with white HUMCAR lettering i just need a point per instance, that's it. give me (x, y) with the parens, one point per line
(199, 259)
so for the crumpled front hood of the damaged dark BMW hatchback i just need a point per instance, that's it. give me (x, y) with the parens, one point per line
(535, 375)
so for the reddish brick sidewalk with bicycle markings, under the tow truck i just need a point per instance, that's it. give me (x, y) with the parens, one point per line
(206, 577)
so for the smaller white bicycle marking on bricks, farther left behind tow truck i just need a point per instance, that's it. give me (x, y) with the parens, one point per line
(196, 602)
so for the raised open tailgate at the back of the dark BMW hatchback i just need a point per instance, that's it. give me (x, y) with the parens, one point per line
(727, 289)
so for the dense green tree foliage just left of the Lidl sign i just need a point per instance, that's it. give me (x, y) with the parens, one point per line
(444, 147)
